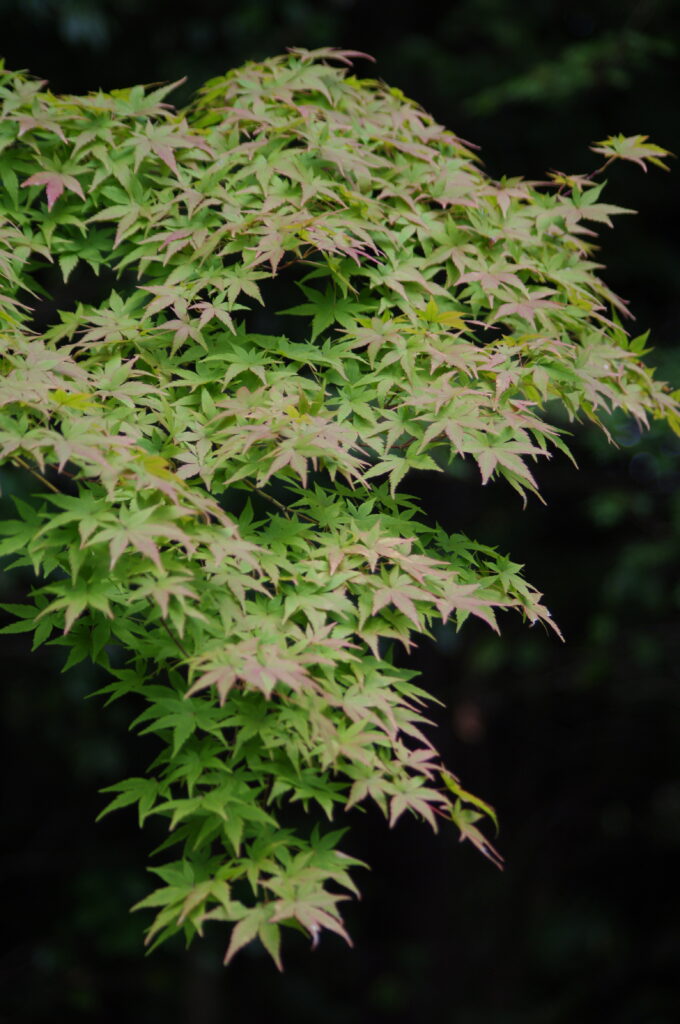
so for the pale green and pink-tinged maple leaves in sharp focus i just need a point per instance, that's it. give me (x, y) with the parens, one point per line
(220, 522)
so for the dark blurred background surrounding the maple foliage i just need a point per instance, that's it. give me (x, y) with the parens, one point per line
(576, 745)
